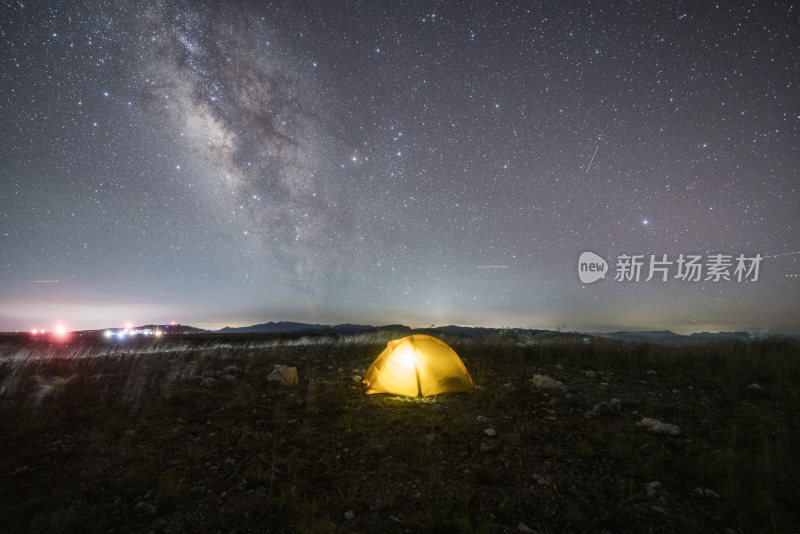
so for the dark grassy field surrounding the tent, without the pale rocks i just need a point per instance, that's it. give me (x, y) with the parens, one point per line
(128, 438)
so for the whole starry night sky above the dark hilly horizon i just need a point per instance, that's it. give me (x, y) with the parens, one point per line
(233, 163)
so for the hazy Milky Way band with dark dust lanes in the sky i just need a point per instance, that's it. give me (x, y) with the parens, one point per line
(241, 111)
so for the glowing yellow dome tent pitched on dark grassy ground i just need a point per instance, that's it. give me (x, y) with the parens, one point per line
(417, 366)
